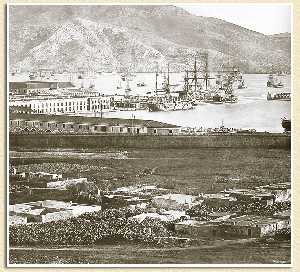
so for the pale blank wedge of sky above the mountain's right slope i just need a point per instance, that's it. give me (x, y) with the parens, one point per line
(264, 18)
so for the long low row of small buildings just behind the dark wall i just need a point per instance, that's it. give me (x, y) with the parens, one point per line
(42, 123)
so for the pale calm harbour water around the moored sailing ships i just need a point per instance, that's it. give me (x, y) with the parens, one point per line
(253, 110)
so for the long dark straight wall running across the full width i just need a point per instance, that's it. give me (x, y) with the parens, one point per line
(263, 140)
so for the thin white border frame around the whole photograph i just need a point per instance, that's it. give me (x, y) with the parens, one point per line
(9, 265)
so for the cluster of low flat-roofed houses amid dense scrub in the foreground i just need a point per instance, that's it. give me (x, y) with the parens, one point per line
(145, 213)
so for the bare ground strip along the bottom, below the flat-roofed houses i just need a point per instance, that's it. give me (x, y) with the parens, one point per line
(221, 253)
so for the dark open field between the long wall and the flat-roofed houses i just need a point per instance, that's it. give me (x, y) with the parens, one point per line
(184, 170)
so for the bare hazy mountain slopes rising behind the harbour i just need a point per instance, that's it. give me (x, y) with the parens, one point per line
(136, 38)
